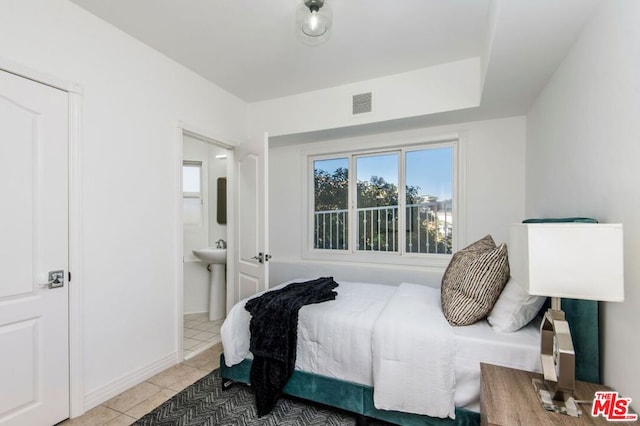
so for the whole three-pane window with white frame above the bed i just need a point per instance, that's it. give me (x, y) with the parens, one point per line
(397, 201)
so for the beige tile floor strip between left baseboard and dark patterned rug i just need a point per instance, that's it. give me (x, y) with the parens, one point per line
(126, 408)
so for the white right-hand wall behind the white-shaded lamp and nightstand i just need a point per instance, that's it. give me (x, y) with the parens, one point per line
(583, 135)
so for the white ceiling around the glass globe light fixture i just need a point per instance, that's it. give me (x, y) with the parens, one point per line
(250, 48)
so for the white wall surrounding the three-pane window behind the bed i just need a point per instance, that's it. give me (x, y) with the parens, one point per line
(493, 191)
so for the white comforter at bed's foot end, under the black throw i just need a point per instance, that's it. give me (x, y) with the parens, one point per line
(334, 338)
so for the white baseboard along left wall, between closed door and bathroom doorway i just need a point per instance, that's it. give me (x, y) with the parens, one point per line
(98, 396)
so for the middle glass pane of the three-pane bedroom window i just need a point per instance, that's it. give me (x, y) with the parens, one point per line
(377, 202)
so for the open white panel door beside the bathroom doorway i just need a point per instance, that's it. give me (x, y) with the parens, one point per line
(251, 257)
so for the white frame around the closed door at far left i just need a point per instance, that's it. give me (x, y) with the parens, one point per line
(75, 97)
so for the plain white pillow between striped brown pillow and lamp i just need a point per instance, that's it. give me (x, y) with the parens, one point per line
(514, 309)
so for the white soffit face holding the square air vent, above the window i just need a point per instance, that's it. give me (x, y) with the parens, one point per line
(440, 88)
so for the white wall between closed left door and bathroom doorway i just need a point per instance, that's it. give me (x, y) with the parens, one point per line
(133, 100)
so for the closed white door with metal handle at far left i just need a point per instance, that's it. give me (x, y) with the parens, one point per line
(34, 354)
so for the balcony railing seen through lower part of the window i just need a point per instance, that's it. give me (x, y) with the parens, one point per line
(429, 228)
